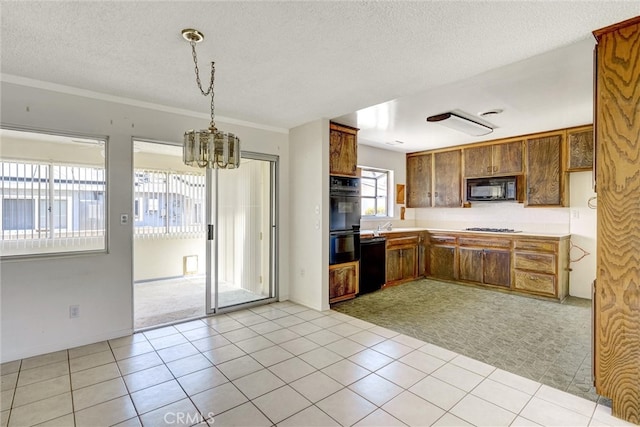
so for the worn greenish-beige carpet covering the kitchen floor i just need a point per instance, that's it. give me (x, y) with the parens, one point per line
(543, 340)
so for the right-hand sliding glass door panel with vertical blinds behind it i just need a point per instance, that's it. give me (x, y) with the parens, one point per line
(241, 235)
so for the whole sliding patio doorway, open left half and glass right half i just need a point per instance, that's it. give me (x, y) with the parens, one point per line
(204, 240)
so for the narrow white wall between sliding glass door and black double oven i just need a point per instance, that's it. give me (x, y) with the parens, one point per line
(309, 226)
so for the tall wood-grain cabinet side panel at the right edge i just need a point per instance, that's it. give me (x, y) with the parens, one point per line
(617, 287)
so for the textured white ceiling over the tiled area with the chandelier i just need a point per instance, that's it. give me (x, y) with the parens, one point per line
(282, 64)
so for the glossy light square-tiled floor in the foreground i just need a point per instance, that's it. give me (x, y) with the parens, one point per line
(279, 364)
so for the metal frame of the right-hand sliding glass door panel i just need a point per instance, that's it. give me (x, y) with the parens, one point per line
(211, 237)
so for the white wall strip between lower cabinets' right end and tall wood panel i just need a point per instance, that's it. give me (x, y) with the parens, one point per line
(583, 235)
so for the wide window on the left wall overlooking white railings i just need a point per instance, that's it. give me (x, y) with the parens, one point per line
(53, 191)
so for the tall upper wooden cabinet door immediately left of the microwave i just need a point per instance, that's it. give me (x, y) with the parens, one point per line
(447, 178)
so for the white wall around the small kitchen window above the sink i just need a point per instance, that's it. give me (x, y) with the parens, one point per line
(395, 162)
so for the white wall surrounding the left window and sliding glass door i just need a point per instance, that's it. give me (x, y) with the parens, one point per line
(36, 293)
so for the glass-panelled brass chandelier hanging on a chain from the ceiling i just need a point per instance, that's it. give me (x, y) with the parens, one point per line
(208, 148)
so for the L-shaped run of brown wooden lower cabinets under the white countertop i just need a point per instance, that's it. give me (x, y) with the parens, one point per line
(529, 264)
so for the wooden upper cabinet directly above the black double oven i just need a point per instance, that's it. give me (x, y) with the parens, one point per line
(343, 145)
